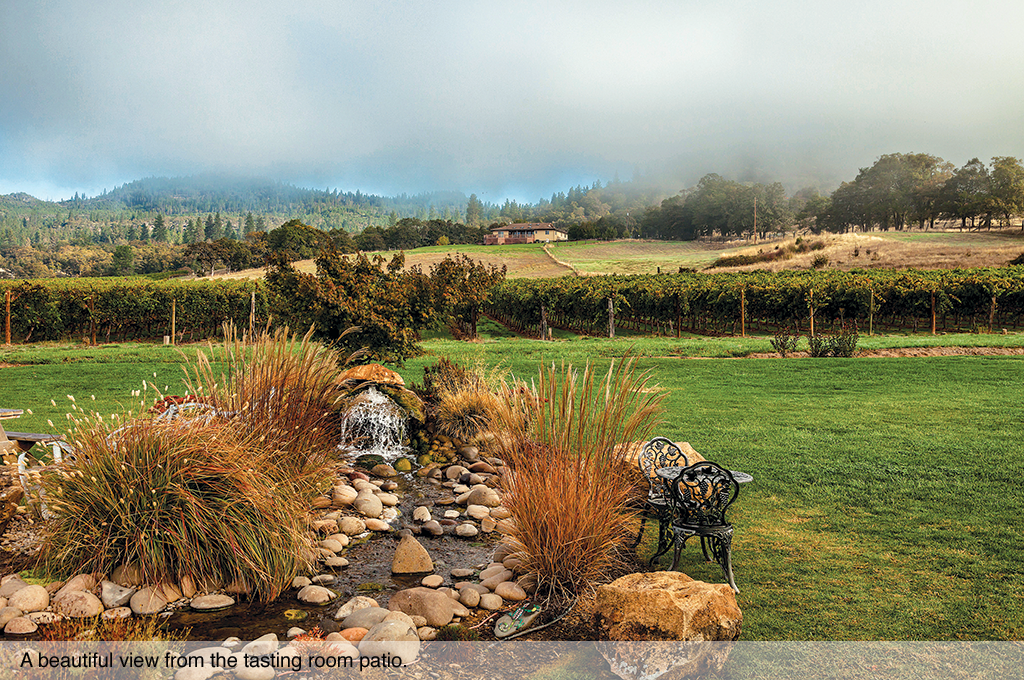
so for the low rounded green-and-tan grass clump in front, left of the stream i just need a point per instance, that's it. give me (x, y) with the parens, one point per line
(178, 499)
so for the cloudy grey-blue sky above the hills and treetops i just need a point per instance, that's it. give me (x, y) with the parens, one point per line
(515, 100)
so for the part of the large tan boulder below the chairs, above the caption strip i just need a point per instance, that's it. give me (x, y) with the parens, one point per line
(666, 606)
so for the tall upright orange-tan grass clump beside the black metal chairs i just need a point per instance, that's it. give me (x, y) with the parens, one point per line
(569, 490)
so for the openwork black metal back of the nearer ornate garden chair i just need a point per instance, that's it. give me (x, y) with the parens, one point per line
(702, 494)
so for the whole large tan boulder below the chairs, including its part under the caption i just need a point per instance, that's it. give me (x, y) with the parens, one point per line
(703, 621)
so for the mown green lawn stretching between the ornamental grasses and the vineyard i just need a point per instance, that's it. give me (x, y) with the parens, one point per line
(887, 496)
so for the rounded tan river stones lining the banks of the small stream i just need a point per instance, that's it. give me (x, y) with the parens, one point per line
(359, 504)
